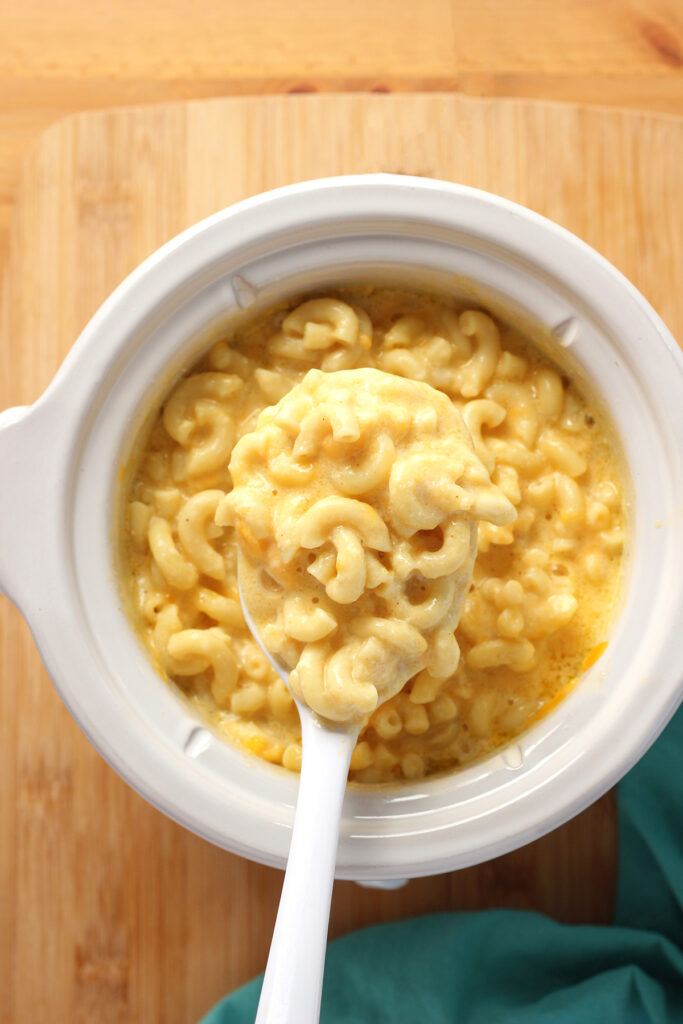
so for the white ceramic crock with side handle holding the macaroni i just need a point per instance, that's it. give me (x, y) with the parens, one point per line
(60, 463)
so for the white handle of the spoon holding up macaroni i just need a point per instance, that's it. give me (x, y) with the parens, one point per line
(293, 982)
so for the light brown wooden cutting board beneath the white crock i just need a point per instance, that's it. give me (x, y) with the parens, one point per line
(109, 912)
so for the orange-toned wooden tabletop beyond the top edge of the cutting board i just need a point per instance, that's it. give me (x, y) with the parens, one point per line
(61, 59)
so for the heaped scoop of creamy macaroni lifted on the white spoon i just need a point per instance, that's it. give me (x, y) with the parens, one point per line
(357, 500)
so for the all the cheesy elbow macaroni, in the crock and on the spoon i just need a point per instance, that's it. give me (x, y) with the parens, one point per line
(544, 583)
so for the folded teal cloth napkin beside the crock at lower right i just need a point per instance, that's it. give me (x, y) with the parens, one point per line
(524, 968)
